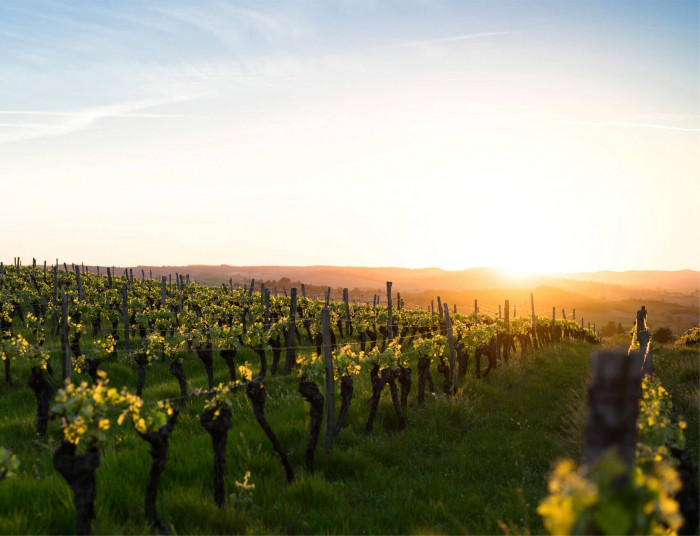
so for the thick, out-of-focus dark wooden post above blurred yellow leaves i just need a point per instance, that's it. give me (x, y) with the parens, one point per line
(613, 404)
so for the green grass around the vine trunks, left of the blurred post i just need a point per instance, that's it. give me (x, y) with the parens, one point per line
(475, 463)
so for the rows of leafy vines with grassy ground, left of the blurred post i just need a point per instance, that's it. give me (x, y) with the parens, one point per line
(130, 404)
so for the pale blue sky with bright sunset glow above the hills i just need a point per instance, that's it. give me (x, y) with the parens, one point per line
(536, 136)
